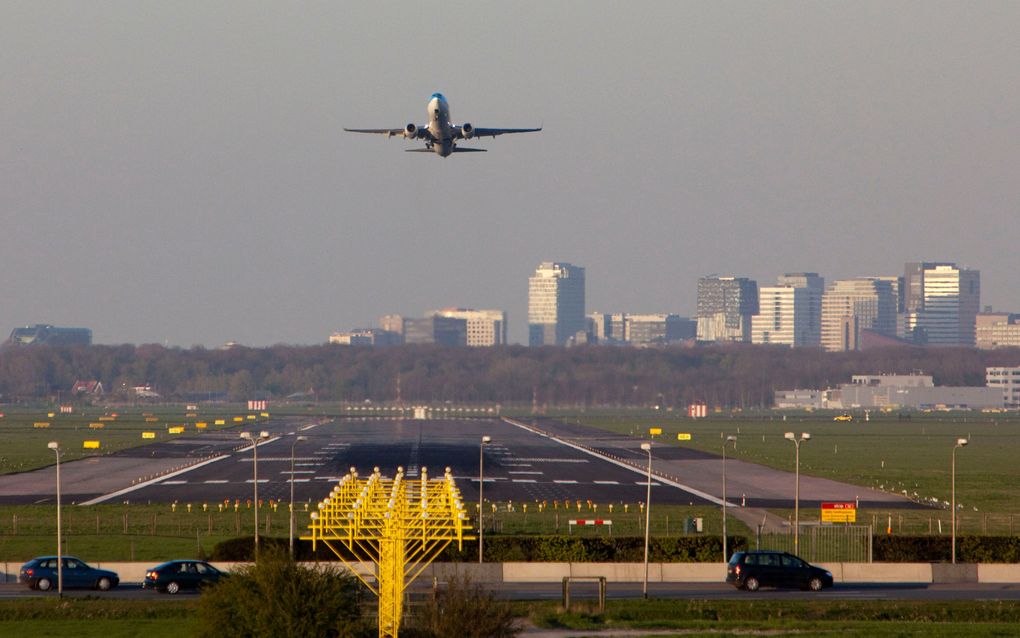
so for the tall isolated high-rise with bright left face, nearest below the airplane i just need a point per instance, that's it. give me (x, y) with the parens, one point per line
(555, 305)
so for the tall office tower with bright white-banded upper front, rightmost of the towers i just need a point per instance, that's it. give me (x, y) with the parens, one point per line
(941, 304)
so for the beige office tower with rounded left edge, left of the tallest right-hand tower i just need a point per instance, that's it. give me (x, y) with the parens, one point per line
(851, 306)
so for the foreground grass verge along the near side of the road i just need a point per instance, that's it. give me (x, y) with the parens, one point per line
(157, 619)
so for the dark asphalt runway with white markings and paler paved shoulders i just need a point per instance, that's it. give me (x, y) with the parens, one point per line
(543, 461)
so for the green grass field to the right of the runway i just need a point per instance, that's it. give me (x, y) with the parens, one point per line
(910, 458)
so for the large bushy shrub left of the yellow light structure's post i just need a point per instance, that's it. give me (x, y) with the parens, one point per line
(281, 599)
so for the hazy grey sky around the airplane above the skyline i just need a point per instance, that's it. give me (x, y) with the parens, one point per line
(177, 171)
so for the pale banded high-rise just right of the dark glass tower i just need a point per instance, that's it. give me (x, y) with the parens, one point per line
(790, 314)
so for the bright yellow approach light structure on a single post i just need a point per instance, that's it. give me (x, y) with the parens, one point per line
(398, 525)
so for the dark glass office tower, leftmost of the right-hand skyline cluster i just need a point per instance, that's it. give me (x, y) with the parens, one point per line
(726, 306)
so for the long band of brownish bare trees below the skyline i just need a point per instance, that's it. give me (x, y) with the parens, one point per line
(737, 375)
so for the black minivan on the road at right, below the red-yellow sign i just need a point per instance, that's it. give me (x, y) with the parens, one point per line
(751, 570)
